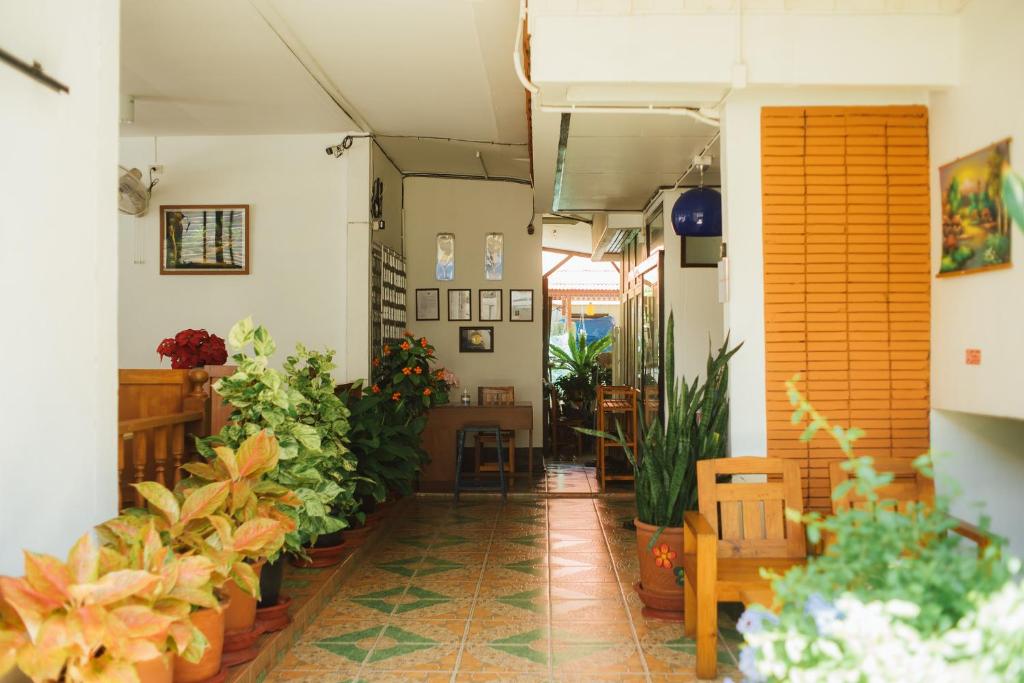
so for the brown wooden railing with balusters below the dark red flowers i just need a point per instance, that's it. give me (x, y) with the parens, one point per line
(162, 414)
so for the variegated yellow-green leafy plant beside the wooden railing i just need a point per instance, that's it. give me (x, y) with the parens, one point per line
(265, 400)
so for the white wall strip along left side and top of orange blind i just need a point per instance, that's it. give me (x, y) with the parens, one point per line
(742, 218)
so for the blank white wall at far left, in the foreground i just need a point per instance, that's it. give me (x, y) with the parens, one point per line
(59, 277)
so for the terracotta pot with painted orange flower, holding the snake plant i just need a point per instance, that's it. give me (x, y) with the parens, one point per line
(658, 588)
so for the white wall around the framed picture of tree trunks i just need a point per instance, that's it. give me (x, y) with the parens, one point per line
(297, 285)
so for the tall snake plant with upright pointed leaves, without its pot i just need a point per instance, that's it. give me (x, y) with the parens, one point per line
(694, 429)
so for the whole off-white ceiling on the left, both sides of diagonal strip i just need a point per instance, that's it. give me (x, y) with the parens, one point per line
(405, 68)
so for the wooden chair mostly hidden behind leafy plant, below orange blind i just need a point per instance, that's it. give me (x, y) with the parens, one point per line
(909, 486)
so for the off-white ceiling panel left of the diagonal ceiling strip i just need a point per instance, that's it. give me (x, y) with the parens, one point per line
(200, 68)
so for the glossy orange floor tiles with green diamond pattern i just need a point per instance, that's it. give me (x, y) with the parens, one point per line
(535, 589)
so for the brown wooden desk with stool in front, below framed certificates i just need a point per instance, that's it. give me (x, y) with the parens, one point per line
(445, 421)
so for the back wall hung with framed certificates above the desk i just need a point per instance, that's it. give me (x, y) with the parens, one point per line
(471, 209)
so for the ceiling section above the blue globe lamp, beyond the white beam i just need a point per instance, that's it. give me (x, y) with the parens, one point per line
(616, 162)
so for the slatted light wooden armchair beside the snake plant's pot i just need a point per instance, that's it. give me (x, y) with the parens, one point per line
(742, 527)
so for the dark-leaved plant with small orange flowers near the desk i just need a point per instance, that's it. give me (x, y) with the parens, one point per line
(404, 373)
